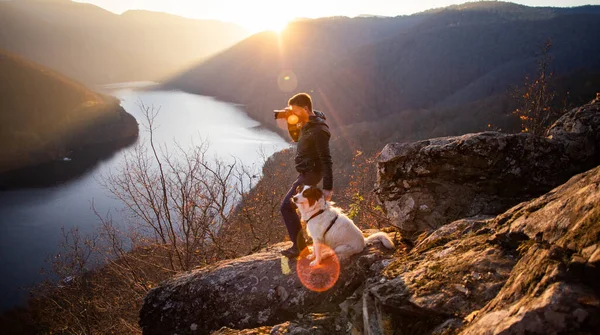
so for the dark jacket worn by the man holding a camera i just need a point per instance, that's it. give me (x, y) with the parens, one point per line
(312, 153)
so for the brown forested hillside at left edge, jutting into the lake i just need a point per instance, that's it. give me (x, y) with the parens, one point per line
(45, 116)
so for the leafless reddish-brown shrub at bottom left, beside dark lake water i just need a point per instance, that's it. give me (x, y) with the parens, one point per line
(82, 296)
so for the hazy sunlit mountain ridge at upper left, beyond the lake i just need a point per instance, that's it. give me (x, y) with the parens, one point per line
(96, 46)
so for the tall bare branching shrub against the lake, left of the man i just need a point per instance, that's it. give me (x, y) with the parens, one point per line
(178, 200)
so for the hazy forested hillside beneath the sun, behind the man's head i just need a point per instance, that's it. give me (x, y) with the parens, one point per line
(368, 69)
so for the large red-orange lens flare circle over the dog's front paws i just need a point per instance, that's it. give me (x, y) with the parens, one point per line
(322, 277)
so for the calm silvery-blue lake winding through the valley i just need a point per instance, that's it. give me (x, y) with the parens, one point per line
(31, 219)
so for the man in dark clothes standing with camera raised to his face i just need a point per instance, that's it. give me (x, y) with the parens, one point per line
(313, 163)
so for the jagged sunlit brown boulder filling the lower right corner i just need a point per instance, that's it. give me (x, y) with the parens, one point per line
(532, 270)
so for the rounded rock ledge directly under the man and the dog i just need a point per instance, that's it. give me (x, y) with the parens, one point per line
(247, 292)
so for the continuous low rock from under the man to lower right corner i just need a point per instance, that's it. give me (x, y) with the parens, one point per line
(523, 285)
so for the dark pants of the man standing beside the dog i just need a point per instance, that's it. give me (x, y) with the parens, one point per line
(288, 208)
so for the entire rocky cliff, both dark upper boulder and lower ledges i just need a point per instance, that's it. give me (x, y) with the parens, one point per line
(533, 269)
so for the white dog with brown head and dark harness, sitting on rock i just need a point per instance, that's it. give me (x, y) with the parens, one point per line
(328, 225)
